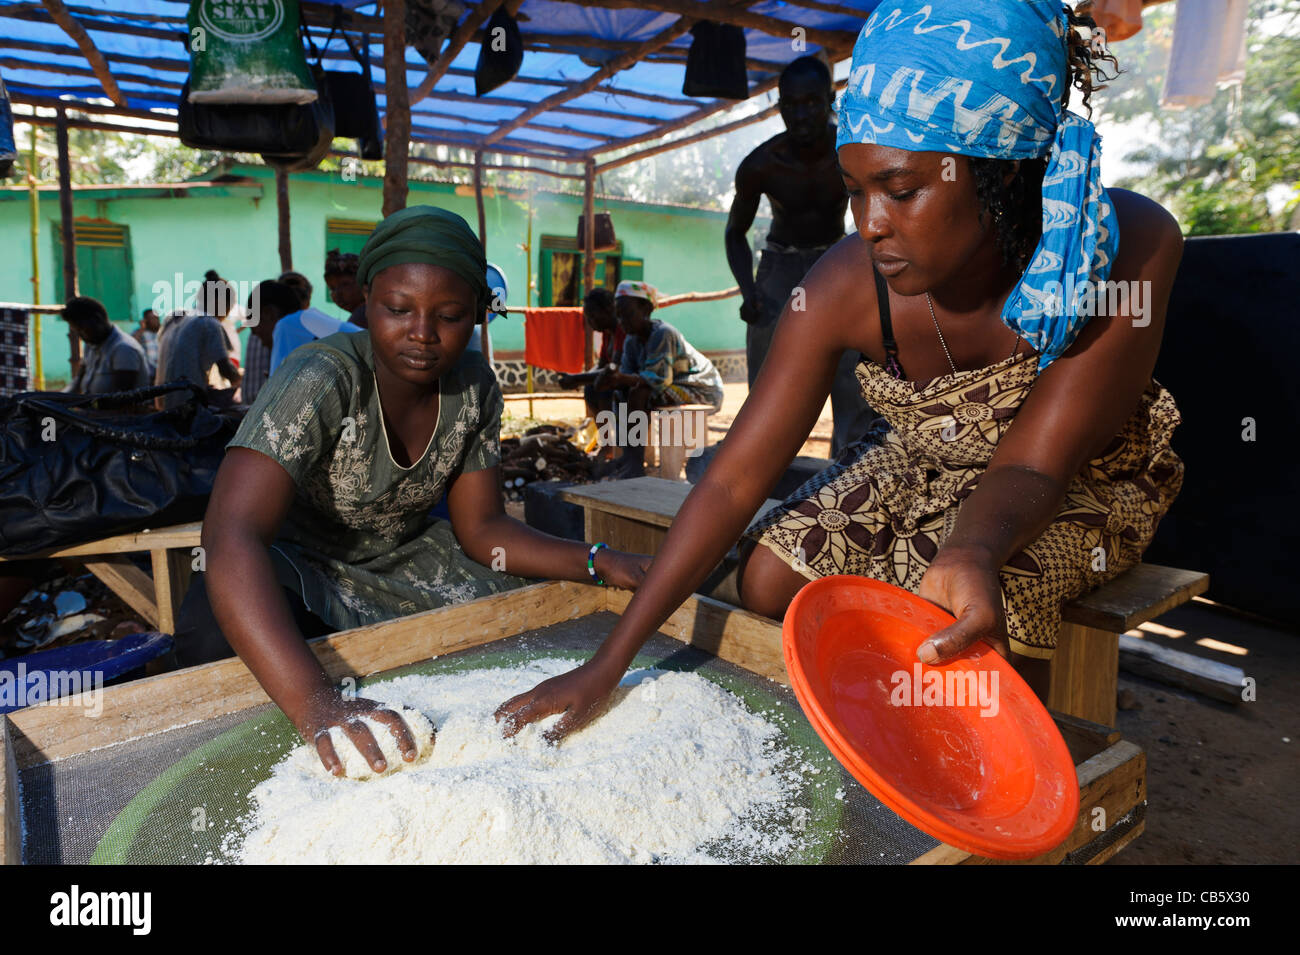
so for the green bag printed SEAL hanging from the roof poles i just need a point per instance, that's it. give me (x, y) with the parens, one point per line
(248, 51)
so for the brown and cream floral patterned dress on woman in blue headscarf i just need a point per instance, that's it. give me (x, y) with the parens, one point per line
(887, 506)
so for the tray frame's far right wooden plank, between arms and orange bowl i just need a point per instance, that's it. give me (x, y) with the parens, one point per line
(730, 633)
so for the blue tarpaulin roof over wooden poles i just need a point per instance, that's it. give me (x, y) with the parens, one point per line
(144, 44)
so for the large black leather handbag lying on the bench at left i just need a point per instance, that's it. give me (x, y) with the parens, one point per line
(77, 468)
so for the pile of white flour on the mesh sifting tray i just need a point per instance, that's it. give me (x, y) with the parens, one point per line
(674, 765)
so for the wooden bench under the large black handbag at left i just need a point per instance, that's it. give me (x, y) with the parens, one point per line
(171, 552)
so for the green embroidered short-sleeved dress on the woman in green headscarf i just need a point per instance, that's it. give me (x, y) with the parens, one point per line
(359, 545)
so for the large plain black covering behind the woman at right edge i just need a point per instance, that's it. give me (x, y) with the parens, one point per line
(1232, 351)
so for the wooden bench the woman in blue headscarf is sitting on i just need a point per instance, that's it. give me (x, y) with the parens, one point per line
(635, 516)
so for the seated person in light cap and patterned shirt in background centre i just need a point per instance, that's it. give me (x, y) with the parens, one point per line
(660, 368)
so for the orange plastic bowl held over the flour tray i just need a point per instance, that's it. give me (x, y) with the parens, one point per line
(990, 775)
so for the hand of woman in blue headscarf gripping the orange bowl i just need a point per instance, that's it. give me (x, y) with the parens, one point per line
(967, 585)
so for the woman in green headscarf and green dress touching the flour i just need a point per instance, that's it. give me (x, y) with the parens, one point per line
(320, 519)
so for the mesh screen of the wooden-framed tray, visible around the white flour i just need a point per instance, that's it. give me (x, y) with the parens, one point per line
(177, 797)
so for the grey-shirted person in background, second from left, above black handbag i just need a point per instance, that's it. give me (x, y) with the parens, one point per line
(193, 346)
